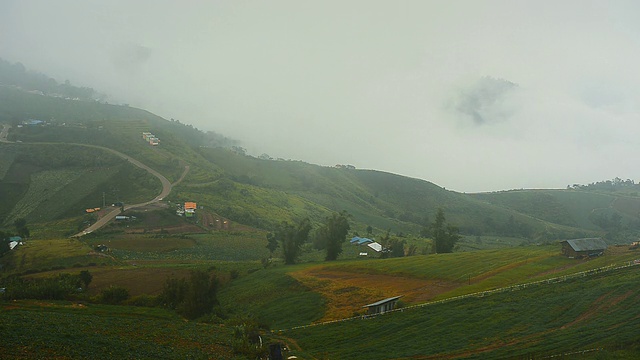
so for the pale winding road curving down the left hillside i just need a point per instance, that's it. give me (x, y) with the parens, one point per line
(166, 184)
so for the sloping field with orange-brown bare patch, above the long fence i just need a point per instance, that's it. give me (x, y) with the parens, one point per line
(346, 286)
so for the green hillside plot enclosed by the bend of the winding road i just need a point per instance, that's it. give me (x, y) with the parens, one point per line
(42, 188)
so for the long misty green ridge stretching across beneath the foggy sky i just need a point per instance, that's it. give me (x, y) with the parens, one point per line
(261, 192)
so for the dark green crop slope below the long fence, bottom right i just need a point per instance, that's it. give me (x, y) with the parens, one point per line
(581, 314)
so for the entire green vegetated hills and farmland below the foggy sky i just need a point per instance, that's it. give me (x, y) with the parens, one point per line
(220, 267)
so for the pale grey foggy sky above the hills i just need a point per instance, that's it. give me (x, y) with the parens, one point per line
(476, 95)
